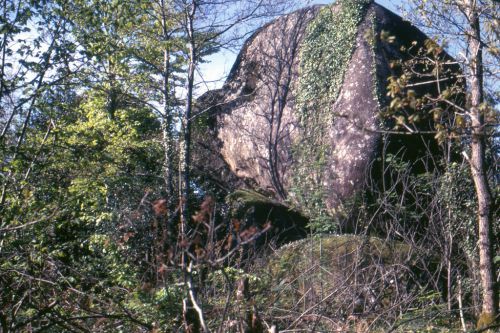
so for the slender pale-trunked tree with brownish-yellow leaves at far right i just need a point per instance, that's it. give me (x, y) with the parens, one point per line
(471, 29)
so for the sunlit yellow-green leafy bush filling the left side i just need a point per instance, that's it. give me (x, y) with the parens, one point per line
(60, 230)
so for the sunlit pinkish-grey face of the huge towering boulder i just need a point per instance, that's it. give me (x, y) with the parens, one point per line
(258, 135)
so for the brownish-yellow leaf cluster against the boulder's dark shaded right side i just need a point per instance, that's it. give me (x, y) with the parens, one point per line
(412, 110)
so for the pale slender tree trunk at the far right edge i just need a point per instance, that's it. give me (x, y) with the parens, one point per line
(478, 168)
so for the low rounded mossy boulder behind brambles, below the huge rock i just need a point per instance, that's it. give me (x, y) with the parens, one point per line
(342, 278)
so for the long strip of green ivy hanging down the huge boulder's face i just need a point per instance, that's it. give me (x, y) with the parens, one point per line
(325, 54)
